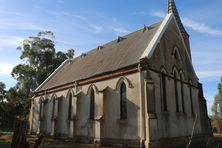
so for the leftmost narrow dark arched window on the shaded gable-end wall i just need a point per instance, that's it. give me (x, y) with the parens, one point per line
(163, 90)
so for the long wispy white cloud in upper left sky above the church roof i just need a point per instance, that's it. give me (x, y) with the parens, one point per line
(86, 20)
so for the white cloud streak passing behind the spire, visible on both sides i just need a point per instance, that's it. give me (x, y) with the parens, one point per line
(196, 26)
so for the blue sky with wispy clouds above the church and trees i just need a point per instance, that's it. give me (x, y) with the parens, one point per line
(85, 24)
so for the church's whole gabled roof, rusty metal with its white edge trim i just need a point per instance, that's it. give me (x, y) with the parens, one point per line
(120, 53)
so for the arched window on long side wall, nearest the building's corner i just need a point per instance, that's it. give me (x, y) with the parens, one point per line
(123, 102)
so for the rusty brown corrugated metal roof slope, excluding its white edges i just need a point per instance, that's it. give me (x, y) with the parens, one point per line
(114, 55)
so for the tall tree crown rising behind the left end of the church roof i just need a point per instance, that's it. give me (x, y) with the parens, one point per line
(41, 59)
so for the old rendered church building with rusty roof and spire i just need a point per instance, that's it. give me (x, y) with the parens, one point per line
(139, 90)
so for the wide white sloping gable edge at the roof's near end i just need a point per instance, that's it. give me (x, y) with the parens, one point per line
(156, 38)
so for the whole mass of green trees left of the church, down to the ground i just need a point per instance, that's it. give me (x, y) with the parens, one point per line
(40, 59)
